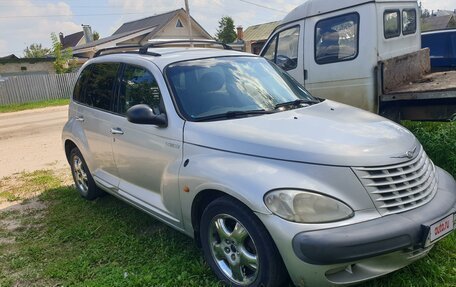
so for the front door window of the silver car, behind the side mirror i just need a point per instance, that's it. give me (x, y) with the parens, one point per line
(138, 86)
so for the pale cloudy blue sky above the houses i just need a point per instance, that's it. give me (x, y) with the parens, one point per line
(23, 22)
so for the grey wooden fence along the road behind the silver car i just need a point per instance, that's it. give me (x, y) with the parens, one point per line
(34, 88)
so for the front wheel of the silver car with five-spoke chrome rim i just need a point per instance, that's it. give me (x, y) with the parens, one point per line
(237, 246)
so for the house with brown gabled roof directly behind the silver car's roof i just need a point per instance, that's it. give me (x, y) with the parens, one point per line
(167, 26)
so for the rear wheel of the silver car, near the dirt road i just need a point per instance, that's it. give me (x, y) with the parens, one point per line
(83, 180)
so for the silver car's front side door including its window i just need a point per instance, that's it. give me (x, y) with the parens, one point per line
(148, 157)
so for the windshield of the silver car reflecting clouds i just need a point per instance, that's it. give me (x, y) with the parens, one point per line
(233, 86)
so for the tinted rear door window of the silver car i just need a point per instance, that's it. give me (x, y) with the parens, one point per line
(99, 91)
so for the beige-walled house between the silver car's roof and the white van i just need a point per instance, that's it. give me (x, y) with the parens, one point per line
(256, 36)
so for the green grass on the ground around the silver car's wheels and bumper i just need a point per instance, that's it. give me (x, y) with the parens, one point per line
(73, 242)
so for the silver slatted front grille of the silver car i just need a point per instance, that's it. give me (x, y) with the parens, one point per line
(400, 187)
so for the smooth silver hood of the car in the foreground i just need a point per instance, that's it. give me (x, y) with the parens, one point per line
(327, 133)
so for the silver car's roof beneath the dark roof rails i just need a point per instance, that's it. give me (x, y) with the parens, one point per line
(170, 55)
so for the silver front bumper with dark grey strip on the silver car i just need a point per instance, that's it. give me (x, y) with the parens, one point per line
(357, 252)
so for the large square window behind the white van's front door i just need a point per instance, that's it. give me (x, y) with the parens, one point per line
(336, 39)
